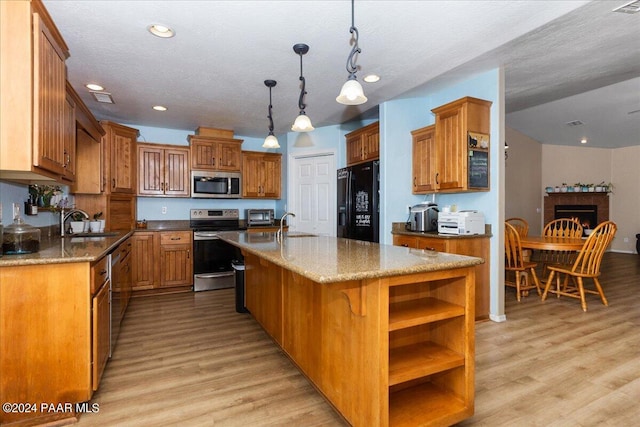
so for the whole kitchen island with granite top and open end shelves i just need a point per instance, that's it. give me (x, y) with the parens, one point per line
(385, 333)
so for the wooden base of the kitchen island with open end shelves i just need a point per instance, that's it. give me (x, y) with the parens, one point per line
(396, 351)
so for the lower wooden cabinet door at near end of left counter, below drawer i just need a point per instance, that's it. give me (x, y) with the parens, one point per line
(101, 340)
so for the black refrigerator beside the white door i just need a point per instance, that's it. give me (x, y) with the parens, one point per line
(359, 202)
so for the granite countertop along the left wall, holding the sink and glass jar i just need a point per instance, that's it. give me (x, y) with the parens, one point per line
(56, 250)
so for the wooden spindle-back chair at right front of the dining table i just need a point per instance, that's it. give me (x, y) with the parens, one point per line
(586, 265)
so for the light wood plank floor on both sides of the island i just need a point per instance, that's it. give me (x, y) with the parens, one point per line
(191, 360)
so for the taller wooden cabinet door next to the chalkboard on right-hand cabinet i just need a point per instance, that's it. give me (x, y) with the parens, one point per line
(451, 149)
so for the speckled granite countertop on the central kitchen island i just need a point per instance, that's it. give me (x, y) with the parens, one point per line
(330, 259)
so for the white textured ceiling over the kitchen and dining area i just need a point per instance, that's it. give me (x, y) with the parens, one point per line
(564, 60)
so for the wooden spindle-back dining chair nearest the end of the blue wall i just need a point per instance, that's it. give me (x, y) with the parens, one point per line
(514, 263)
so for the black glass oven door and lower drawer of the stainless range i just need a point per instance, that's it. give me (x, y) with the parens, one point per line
(212, 259)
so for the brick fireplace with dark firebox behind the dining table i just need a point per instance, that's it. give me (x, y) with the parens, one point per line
(577, 201)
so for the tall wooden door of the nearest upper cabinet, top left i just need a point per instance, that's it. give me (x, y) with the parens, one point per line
(49, 95)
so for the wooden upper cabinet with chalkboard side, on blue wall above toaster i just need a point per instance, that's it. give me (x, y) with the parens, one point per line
(449, 162)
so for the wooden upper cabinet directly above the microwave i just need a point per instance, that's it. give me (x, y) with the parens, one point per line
(215, 153)
